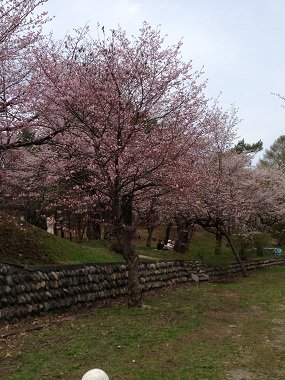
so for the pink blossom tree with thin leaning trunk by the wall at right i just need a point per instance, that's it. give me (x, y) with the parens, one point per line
(224, 193)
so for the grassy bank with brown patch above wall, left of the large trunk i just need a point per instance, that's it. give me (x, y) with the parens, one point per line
(21, 243)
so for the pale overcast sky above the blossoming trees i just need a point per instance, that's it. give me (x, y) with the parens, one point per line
(240, 44)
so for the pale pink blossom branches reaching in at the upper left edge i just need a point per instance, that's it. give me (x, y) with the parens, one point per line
(21, 123)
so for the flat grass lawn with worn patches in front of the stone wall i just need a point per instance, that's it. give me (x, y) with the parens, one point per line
(215, 331)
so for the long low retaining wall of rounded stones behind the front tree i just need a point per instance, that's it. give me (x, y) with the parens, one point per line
(26, 292)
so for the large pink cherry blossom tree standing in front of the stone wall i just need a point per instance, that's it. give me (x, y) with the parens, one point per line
(133, 109)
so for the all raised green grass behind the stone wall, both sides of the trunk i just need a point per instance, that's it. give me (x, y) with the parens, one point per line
(21, 243)
